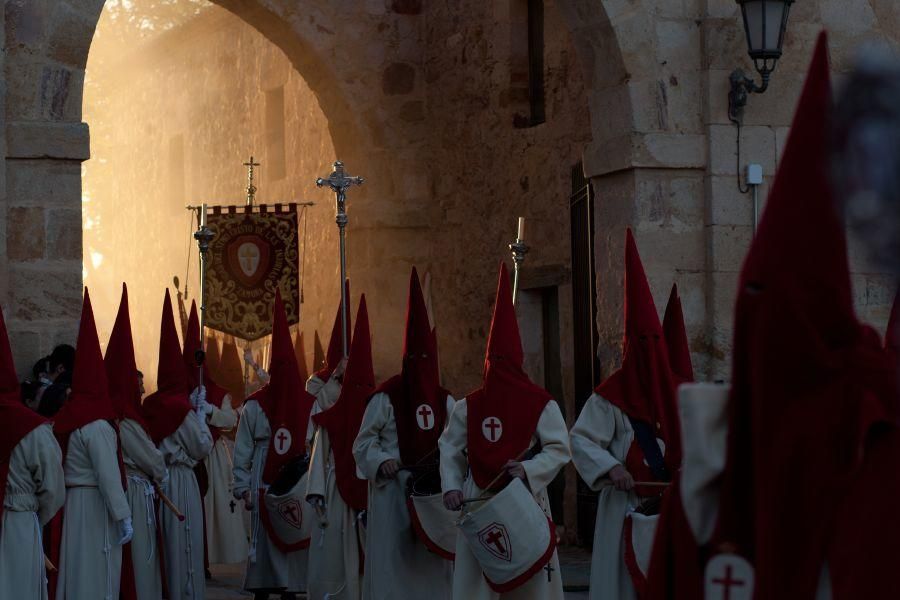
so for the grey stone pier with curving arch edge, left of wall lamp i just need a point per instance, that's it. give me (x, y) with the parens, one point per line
(647, 157)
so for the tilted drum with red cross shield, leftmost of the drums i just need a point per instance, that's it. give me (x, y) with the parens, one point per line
(283, 509)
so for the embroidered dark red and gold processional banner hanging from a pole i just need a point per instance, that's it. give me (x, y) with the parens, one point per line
(254, 252)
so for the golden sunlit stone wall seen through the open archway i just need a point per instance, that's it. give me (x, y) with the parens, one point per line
(171, 125)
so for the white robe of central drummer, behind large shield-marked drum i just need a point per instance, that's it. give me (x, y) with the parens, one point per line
(468, 579)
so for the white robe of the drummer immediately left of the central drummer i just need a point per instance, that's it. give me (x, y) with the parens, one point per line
(409, 571)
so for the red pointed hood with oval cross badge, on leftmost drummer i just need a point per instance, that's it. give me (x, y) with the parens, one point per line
(284, 400)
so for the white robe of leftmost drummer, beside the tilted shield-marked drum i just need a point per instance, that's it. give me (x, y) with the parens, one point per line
(268, 568)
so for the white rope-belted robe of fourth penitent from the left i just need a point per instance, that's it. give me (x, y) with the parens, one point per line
(184, 541)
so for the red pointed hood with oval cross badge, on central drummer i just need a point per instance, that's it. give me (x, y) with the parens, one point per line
(507, 399)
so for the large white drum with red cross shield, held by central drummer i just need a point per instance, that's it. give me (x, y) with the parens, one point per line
(510, 536)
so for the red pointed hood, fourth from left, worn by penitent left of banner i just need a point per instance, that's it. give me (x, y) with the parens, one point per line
(166, 409)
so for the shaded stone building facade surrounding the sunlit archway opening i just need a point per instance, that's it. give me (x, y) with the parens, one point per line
(418, 97)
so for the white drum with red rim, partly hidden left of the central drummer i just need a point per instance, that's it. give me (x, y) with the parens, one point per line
(435, 526)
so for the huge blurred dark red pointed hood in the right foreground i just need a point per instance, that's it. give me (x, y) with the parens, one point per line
(803, 369)
